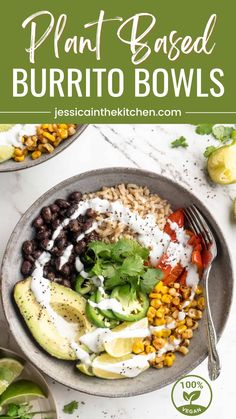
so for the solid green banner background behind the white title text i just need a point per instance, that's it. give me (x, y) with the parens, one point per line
(187, 17)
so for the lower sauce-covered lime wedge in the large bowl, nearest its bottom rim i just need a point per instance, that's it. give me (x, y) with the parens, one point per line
(105, 366)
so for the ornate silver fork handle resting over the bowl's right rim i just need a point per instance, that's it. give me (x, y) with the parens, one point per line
(214, 366)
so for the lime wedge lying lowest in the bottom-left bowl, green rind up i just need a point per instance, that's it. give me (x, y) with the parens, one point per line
(21, 391)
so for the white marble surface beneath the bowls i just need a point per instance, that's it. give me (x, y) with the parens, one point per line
(147, 147)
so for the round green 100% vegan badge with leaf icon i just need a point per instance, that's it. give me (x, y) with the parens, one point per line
(191, 409)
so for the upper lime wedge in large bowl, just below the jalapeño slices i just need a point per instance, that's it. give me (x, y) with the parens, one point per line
(121, 346)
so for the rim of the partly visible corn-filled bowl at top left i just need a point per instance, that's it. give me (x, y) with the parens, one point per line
(27, 164)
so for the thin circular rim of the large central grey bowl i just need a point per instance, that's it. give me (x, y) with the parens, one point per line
(133, 171)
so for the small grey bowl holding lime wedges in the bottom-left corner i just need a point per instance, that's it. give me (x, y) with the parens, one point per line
(31, 373)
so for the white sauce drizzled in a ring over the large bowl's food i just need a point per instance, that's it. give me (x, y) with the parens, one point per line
(149, 235)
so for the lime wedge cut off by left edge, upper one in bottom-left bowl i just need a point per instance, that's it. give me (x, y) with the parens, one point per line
(10, 369)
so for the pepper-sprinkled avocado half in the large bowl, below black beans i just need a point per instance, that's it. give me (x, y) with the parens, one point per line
(64, 301)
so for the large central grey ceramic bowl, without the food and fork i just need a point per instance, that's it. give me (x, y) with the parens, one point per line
(220, 290)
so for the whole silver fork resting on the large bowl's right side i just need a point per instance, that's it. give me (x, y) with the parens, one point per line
(200, 227)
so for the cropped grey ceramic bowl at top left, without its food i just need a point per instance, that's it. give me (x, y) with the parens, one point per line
(12, 166)
